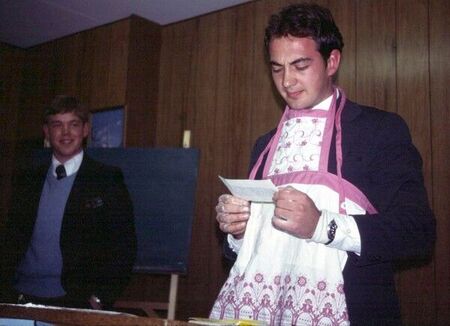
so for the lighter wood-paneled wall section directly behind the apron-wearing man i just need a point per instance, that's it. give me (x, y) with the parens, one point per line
(215, 82)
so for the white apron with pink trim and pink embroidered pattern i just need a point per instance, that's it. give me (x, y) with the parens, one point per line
(279, 278)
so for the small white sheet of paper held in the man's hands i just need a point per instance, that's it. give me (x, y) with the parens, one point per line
(251, 190)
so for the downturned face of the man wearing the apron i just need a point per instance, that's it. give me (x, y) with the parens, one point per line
(299, 71)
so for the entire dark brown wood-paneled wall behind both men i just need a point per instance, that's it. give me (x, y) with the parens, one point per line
(212, 78)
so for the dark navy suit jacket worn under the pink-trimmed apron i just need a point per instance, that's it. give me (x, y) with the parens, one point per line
(380, 159)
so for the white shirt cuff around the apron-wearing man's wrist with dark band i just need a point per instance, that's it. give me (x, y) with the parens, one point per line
(347, 235)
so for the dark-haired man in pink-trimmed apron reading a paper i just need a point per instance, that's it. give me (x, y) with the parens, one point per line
(350, 202)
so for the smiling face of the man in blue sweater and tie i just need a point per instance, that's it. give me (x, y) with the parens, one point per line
(65, 132)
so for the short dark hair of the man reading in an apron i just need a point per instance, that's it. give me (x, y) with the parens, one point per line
(306, 20)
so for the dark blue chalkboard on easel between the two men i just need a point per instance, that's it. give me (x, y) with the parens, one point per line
(162, 183)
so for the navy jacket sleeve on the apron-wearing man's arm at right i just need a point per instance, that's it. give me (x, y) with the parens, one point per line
(404, 227)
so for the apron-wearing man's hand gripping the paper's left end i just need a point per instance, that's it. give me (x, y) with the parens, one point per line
(232, 215)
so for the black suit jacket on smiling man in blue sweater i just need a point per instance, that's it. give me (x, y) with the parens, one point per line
(98, 241)
